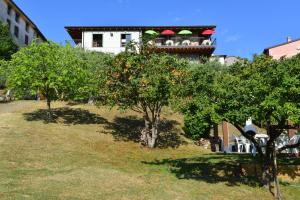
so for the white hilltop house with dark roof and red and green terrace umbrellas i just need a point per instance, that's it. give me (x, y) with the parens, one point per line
(190, 41)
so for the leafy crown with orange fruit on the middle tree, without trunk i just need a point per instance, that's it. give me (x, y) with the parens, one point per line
(137, 79)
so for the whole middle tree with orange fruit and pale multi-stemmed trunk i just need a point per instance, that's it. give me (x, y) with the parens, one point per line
(144, 82)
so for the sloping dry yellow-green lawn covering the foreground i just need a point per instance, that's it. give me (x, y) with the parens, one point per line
(92, 153)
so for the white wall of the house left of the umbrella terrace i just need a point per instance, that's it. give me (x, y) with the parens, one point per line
(111, 43)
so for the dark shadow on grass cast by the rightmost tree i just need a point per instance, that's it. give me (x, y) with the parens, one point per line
(209, 168)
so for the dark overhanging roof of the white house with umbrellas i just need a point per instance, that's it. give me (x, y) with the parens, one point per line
(76, 31)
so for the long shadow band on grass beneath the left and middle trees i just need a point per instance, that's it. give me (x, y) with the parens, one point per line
(122, 129)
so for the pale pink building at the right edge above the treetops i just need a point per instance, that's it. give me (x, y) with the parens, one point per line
(288, 49)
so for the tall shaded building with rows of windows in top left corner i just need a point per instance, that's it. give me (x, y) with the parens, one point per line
(23, 30)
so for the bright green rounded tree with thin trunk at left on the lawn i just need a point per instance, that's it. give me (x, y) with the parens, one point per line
(49, 69)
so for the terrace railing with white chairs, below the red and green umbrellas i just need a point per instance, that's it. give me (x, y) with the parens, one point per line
(184, 42)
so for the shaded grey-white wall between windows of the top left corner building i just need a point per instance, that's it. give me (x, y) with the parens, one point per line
(21, 24)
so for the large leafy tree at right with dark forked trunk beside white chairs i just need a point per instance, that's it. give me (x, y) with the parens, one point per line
(264, 89)
